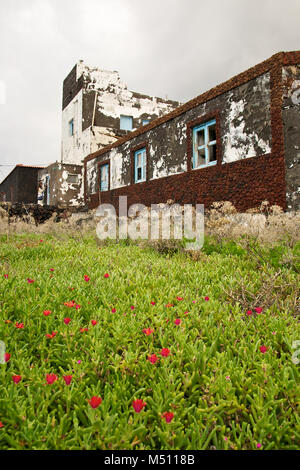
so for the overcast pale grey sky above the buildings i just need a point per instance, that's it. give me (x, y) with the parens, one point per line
(178, 48)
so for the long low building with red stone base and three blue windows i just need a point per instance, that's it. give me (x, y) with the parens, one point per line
(239, 141)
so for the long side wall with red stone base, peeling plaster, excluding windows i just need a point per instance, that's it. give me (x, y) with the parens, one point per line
(245, 171)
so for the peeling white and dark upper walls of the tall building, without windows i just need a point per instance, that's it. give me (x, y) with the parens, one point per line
(95, 99)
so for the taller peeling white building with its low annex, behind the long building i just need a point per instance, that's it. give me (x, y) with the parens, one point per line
(97, 109)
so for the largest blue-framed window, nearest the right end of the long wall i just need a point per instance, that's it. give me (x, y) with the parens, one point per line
(204, 145)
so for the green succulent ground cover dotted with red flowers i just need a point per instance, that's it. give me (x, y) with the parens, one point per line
(223, 391)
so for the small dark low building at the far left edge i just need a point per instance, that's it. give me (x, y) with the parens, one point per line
(21, 185)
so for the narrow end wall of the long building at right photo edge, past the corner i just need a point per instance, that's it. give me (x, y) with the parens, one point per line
(291, 120)
